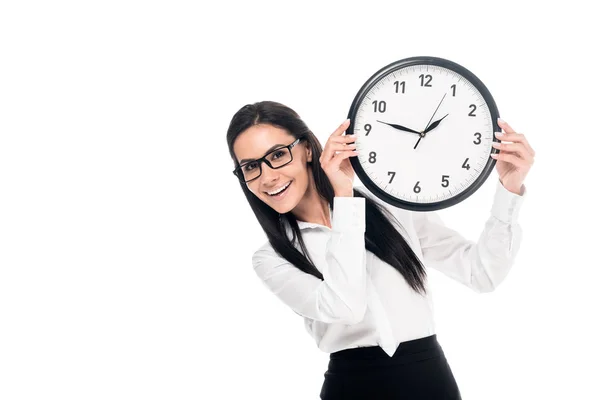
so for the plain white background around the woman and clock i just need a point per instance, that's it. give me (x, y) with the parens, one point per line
(126, 242)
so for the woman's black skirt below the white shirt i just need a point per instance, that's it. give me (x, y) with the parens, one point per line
(418, 370)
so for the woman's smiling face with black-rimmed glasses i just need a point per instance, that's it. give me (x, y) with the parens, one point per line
(260, 139)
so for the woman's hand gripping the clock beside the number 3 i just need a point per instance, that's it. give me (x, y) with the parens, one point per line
(514, 160)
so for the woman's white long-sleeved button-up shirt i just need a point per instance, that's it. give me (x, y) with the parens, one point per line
(364, 301)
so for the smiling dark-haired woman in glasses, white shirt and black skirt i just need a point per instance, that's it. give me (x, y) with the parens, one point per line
(335, 254)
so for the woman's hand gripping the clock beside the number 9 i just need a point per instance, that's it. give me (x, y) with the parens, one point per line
(337, 167)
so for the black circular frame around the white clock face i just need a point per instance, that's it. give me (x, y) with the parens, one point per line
(435, 61)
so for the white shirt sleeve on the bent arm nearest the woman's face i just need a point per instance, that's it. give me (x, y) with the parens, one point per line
(342, 296)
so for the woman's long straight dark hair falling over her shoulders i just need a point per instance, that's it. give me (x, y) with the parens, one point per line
(381, 237)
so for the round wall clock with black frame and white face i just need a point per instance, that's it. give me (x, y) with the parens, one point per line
(424, 129)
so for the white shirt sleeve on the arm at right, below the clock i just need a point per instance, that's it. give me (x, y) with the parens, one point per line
(483, 265)
